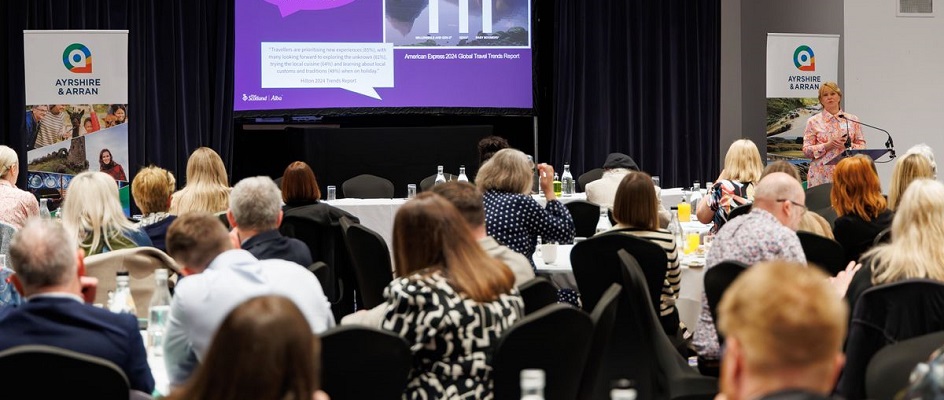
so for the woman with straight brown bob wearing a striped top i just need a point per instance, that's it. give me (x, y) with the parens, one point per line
(636, 212)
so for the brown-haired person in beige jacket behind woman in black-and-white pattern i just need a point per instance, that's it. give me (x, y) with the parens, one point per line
(468, 200)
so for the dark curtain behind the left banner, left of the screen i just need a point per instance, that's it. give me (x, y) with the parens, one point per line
(180, 58)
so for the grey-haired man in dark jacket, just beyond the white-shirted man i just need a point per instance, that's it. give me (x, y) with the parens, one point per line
(255, 213)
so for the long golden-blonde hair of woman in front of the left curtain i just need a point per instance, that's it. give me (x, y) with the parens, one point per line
(207, 188)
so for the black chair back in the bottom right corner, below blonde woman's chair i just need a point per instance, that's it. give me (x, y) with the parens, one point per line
(890, 367)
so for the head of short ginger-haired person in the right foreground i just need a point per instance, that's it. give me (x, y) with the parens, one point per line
(783, 327)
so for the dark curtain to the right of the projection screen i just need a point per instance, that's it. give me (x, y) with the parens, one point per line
(639, 77)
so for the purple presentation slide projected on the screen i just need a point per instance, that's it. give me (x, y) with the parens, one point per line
(324, 54)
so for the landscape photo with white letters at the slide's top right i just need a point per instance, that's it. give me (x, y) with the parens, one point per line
(463, 23)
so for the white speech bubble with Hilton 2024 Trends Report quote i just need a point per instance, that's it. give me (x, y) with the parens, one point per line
(356, 67)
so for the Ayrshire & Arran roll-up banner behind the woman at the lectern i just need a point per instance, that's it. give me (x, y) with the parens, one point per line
(797, 64)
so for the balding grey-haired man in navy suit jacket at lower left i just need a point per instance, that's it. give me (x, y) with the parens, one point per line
(48, 265)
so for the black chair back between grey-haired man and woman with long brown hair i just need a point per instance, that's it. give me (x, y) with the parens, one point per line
(370, 257)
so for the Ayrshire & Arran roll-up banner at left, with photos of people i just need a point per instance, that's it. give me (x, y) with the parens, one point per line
(76, 108)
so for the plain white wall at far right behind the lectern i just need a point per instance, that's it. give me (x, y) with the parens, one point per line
(894, 76)
